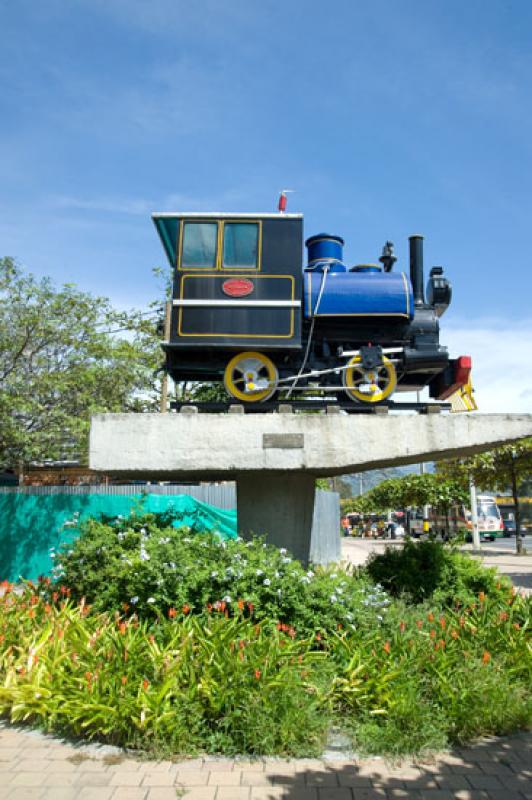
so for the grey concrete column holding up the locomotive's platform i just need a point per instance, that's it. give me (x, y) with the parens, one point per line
(279, 507)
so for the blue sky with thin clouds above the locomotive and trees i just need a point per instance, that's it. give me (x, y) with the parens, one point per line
(387, 117)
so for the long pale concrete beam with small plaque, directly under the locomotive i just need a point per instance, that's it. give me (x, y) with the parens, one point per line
(225, 446)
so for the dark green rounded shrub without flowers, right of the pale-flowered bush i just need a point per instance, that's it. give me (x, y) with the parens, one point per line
(424, 570)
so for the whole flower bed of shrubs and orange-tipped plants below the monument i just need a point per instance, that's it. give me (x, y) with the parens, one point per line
(199, 646)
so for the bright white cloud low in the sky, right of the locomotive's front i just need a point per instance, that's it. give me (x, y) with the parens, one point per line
(501, 353)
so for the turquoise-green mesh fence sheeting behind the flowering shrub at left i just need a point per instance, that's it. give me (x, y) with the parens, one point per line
(30, 525)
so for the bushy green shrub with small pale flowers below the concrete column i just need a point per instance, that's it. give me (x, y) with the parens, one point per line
(145, 566)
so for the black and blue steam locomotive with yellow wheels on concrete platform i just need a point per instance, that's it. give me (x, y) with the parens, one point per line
(246, 311)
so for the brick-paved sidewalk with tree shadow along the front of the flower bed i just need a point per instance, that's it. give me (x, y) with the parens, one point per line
(38, 767)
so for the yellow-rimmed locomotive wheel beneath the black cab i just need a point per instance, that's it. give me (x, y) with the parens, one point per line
(251, 377)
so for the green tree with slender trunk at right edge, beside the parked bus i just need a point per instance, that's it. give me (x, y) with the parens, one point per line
(507, 467)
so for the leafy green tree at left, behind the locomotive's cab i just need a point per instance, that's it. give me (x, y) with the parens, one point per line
(64, 355)
